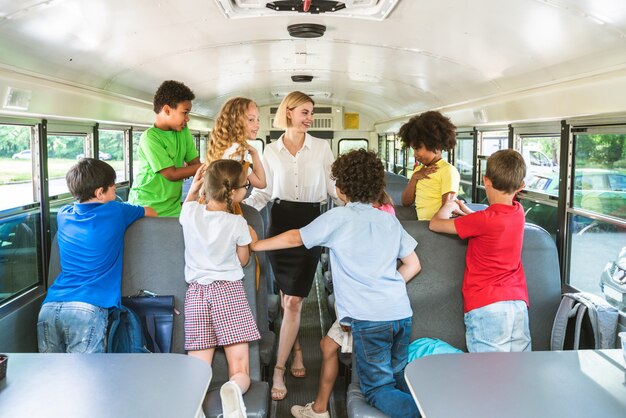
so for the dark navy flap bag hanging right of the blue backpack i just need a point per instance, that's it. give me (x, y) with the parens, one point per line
(156, 313)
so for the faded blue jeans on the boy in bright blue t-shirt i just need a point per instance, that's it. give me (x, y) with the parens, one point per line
(72, 327)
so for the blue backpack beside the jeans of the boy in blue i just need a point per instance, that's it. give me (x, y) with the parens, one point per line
(125, 332)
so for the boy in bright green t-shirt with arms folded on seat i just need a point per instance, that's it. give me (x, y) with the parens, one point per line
(167, 152)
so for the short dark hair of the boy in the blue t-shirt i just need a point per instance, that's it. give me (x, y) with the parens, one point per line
(87, 175)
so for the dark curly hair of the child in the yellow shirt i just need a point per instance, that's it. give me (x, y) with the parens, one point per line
(431, 129)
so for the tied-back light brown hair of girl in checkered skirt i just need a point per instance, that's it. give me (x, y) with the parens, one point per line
(221, 178)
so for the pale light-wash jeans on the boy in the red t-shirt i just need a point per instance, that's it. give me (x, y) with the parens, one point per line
(500, 326)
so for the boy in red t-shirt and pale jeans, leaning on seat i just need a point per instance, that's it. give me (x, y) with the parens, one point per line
(494, 285)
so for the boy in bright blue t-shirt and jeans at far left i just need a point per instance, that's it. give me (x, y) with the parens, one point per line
(73, 317)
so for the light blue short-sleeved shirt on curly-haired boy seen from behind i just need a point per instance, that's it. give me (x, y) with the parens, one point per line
(365, 244)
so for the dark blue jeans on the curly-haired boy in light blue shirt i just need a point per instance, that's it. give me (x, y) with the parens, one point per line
(381, 352)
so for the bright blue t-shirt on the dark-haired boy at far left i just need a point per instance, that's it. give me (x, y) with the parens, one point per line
(91, 245)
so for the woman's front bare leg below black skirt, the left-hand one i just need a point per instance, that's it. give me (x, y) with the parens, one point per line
(292, 306)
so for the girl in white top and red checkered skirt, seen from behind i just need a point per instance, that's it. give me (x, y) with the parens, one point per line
(216, 247)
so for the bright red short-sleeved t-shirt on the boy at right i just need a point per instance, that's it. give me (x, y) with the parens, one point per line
(493, 265)
